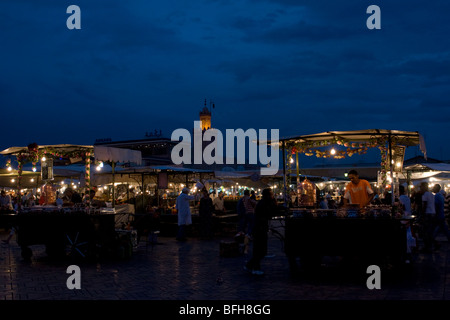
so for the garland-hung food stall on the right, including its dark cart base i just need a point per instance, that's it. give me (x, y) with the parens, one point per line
(375, 232)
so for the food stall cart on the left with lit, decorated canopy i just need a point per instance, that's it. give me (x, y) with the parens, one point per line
(71, 227)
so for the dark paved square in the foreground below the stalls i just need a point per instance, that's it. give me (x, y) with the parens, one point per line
(194, 270)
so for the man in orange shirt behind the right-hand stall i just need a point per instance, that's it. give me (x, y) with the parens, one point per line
(358, 191)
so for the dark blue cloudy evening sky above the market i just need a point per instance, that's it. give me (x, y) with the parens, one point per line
(299, 66)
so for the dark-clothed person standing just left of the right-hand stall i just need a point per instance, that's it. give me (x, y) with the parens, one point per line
(265, 209)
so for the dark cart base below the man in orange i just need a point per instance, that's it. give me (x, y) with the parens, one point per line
(375, 240)
